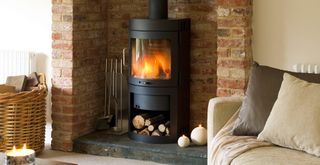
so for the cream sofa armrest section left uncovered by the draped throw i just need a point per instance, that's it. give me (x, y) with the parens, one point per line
(220, 109)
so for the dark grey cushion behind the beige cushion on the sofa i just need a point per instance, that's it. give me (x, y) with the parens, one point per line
(262, 91)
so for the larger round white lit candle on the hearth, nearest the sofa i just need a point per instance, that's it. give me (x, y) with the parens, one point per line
(199, 135)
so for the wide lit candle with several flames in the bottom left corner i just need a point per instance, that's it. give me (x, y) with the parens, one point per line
(22, 156)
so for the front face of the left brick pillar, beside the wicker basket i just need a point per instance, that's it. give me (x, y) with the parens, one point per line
(62, 54)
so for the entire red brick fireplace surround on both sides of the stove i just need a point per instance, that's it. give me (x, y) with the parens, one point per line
(85, 32)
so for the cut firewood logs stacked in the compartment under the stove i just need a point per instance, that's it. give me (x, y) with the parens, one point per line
(151, 125)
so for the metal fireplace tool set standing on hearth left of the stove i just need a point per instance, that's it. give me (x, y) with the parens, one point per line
(114, 119)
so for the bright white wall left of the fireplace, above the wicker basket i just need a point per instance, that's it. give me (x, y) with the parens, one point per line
(26, 25)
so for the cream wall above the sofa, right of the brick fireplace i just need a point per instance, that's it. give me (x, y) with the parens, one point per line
(286, 32)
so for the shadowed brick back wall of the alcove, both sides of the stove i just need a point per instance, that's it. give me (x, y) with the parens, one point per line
(203, 46)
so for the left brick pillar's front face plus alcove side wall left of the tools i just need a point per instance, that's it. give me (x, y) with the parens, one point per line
(79, 49)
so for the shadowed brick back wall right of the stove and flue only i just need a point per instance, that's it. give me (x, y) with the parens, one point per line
(203, 54)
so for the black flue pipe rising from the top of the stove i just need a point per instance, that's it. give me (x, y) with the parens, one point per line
(158, 9)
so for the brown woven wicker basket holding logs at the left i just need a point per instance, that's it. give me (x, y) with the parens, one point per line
(23, 118)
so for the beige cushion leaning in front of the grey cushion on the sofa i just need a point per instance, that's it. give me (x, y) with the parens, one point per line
(294, 121)
